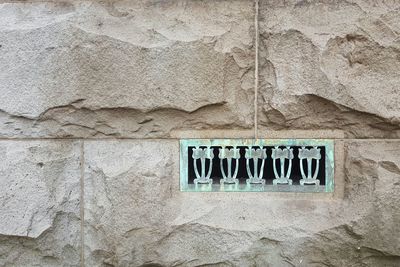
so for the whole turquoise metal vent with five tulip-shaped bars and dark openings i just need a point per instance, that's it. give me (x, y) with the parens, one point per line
(284, 165)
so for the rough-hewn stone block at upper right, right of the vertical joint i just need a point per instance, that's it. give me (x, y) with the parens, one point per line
(331, 65)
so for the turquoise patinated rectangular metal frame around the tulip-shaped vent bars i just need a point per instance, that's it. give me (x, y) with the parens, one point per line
(216, 187)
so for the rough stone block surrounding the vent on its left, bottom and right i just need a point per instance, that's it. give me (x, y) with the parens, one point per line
(135, 215)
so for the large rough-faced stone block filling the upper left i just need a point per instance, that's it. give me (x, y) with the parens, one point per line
(125, 68)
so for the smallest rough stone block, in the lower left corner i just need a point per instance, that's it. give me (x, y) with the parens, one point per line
(39, 203)
